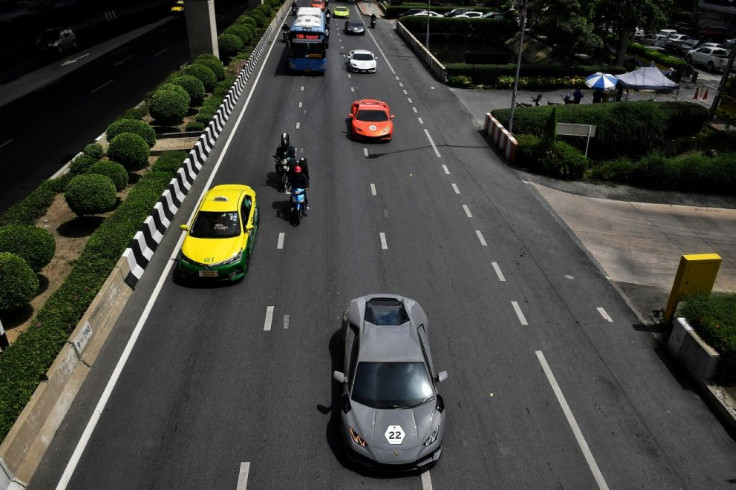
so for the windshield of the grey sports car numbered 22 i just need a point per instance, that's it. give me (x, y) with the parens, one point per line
(392, 384)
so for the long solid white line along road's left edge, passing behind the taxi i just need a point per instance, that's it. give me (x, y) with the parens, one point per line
(77, 455)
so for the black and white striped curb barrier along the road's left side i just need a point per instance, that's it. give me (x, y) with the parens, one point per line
(145, 241)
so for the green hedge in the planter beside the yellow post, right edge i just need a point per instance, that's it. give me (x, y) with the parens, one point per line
(713, 317)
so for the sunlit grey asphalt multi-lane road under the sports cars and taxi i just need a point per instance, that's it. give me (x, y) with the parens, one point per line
(553, 383)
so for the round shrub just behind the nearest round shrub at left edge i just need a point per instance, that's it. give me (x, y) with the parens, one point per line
(35, 245)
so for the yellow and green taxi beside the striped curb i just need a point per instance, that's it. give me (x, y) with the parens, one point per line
(220, 237)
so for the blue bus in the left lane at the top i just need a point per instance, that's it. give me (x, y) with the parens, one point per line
(307, 41)
